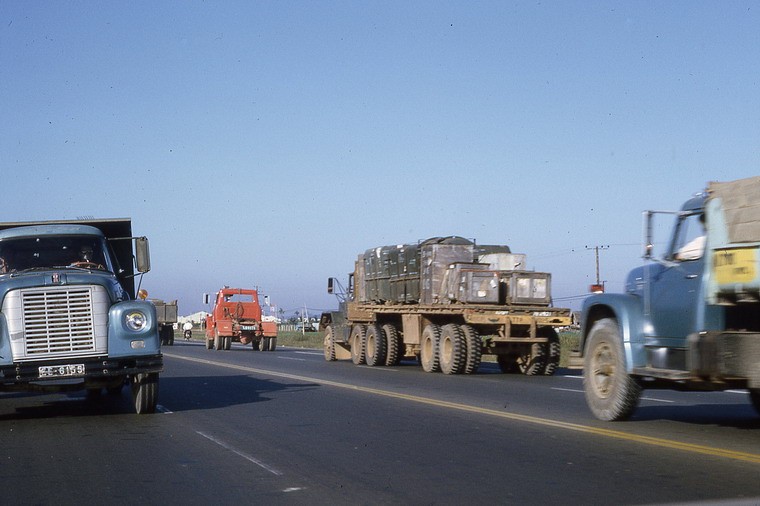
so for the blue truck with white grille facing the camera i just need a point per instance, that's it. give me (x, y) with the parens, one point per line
(69, 315)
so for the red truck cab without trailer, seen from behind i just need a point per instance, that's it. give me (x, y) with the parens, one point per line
(237, 316)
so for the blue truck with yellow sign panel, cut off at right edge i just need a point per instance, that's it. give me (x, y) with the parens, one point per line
(690, 318)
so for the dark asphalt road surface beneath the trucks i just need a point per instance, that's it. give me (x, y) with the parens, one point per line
(289, 428)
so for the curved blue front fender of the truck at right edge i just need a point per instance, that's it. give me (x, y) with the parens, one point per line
(627, 310)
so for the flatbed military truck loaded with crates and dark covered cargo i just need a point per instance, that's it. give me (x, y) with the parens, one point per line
(445, 301)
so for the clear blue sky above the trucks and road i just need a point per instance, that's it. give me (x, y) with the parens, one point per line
(267, 144)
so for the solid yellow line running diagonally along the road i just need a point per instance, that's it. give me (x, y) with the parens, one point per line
(653, 441)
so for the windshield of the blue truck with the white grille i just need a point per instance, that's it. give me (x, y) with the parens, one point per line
(47, 251)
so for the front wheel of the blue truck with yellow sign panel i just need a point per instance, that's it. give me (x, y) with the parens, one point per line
(611, 393)
